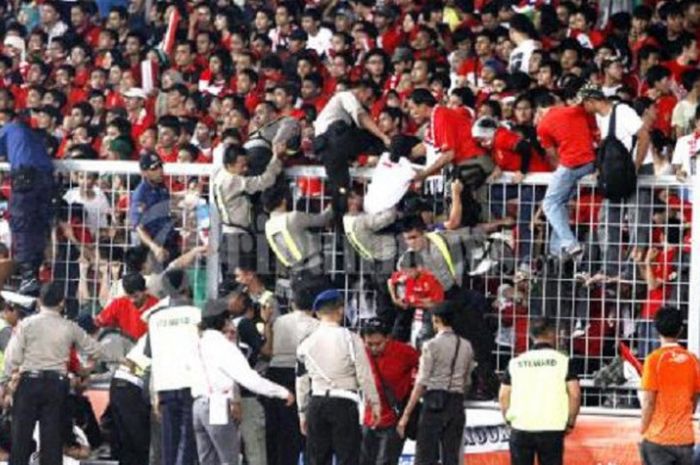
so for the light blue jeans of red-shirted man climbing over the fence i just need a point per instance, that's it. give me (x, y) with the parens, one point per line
(556, 208)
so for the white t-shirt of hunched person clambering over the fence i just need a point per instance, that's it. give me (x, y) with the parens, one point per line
(390, 181)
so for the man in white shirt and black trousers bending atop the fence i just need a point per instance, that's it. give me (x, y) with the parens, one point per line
(343, 130)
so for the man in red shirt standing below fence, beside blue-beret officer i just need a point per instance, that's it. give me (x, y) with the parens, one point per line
(394, 365)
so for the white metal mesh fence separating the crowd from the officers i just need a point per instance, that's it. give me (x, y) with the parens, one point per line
(602, 301)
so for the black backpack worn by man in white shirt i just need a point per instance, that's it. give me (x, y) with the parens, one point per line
(617, 177)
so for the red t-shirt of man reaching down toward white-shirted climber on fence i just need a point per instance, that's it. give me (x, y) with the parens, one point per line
(452, 130)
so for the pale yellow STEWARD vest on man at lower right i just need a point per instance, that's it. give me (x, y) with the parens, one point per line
(539, 400)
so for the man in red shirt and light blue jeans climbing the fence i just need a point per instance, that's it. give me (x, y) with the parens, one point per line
(566, 133)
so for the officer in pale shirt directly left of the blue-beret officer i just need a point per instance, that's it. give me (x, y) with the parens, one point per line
(282, 340)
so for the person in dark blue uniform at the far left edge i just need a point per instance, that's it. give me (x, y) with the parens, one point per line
(30, 209)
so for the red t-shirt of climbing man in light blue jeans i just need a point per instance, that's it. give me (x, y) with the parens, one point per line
(570, 130)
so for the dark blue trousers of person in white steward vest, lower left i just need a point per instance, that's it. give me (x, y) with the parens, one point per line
(177, 428)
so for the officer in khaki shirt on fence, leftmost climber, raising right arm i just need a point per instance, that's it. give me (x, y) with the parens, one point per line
(232, 190)
